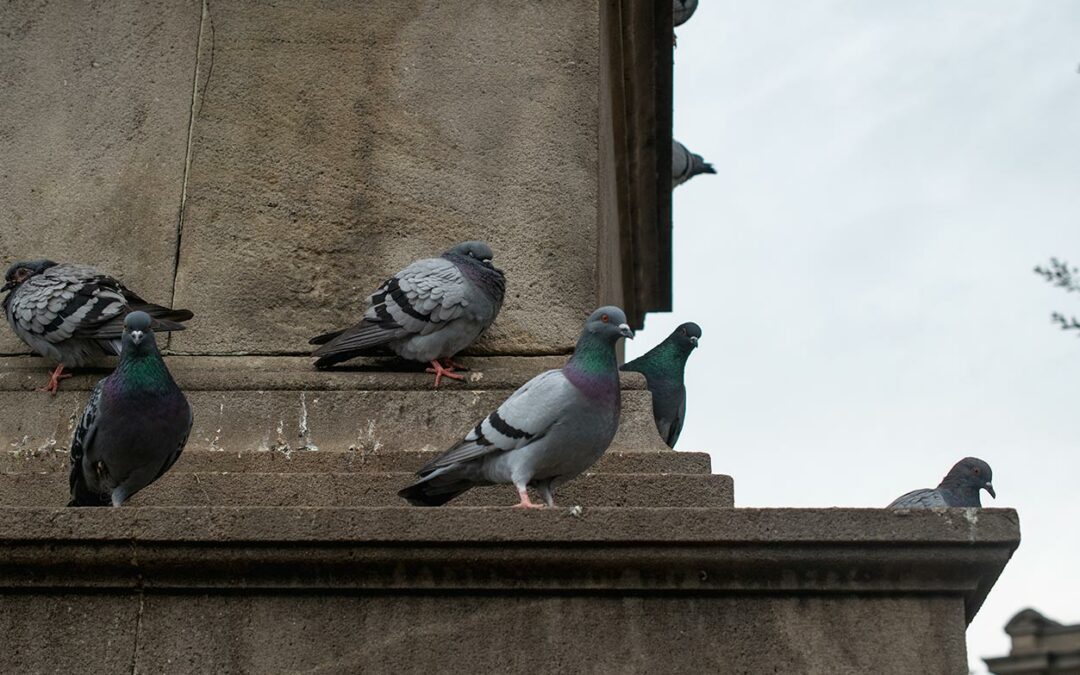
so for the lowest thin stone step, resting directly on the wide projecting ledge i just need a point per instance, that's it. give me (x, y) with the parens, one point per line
(373, 490)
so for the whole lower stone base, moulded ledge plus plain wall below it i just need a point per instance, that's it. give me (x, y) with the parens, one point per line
(197, 590)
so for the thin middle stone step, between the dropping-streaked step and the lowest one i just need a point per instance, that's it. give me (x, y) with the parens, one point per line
(345, 462)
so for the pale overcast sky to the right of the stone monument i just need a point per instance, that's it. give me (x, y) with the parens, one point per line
(889, 173)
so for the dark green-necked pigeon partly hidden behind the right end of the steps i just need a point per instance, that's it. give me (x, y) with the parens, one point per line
(663, 368)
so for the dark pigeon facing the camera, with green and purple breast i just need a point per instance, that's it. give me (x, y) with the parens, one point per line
(134, 426)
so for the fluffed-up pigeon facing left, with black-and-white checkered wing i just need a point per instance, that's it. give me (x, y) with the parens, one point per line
(71, 314)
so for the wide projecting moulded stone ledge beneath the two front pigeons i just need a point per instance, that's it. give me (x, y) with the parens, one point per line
(789, 551)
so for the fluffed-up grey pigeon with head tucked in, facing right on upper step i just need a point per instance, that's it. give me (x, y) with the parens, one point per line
(427, 313)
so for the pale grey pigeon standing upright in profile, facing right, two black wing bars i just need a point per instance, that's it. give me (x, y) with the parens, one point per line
(557, 426)
